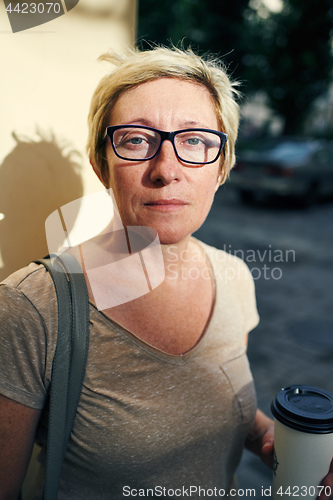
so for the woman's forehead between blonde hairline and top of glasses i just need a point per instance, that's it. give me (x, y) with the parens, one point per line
(166, 100)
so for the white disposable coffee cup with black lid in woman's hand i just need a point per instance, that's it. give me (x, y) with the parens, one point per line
(303, 438)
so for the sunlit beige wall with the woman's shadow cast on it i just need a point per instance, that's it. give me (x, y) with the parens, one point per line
(48, 74)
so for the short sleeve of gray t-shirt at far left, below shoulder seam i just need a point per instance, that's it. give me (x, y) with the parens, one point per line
(22, 349)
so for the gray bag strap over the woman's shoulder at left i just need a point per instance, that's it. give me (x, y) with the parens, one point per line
(69, 362)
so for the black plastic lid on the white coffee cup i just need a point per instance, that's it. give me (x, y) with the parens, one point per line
(304, 408)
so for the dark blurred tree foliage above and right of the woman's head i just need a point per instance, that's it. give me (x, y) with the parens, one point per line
(287, 54)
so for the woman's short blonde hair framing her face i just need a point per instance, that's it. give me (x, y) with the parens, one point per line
(138, 67)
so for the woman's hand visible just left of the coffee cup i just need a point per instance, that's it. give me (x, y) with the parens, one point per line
(261, 438)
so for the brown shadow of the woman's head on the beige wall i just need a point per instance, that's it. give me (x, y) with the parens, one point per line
(36, 178)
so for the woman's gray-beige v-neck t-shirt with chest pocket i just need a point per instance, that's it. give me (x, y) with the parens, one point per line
(146, 420)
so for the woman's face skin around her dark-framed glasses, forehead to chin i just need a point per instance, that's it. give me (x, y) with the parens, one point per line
(164, 193)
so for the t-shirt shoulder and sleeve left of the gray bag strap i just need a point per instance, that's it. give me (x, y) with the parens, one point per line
(28, 332)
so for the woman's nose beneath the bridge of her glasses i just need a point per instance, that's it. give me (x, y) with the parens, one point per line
(165, 166)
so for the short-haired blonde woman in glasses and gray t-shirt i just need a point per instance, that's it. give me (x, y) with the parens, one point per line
(168, 398)
